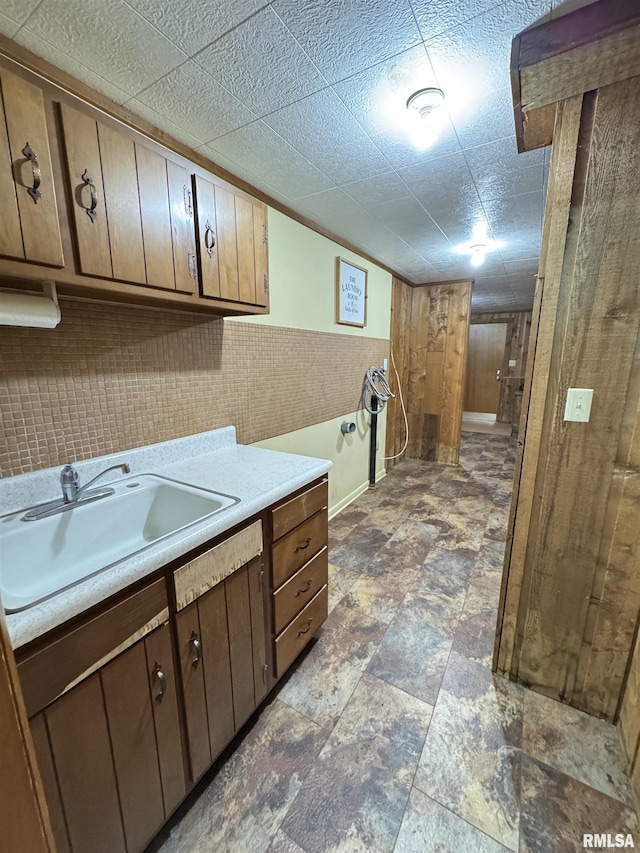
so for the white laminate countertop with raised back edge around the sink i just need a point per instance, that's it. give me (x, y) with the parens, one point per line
(211, 460)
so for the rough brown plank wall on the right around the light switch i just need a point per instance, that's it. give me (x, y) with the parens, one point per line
(571, 591)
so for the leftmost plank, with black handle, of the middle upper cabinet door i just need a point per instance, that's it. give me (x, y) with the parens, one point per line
(84, 171)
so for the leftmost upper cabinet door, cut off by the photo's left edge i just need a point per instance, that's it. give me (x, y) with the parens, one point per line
(29, 226)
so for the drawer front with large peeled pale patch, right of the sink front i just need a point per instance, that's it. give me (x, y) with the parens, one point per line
(205, 572)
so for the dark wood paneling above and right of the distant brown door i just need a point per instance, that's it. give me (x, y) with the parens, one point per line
(516, 349)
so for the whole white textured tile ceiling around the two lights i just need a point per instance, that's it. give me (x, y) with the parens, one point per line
(305, 99)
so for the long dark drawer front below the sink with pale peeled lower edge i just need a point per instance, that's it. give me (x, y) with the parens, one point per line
(51, 671)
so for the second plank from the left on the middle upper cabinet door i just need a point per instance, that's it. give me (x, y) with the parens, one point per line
(120, 180)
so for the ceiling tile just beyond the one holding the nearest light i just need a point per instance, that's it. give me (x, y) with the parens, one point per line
(442, 183)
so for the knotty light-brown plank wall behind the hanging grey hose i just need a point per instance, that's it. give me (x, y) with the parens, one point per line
(429, 335)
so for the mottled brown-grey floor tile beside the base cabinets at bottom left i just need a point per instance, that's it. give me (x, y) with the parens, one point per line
(248, 798)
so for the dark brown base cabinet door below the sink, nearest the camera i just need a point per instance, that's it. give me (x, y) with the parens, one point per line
(110, 752)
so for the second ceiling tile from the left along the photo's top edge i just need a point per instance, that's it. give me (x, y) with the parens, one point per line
(116, 43)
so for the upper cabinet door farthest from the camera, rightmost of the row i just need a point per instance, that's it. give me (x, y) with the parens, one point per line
(232, 244)
